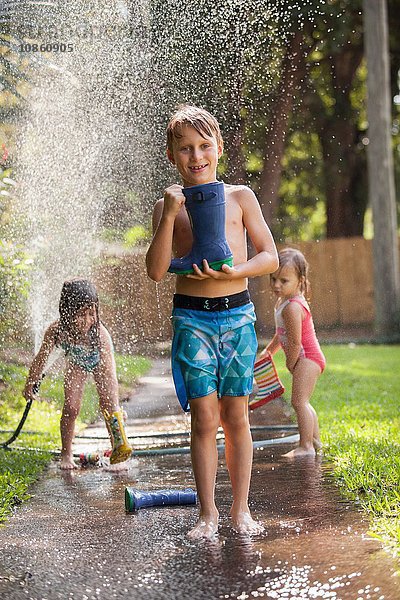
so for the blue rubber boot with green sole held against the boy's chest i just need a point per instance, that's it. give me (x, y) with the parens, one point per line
(205, 205)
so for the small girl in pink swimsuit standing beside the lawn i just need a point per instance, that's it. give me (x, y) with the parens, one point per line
(295, 334)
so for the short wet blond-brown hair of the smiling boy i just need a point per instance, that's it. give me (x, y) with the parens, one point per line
(198, 118)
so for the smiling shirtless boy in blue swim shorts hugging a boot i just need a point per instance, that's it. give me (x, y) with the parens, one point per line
(194, 145)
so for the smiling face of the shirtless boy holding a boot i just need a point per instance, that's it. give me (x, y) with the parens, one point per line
(195, 157)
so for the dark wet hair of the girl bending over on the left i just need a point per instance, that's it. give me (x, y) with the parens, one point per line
(77, 294)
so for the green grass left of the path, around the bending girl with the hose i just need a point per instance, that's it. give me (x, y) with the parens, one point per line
(19, 468)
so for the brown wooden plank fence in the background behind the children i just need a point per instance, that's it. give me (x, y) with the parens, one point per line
(137, 310)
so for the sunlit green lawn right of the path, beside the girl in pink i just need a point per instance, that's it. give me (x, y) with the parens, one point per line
(357, 399)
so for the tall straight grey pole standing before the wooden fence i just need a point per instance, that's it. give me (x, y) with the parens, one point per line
(380, 170)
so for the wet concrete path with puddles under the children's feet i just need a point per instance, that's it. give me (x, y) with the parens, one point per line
(73, 539)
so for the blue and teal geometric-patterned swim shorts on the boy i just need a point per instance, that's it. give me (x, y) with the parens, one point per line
(213, 351)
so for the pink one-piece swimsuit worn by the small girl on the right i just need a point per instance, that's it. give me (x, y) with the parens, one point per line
(310, 347)
